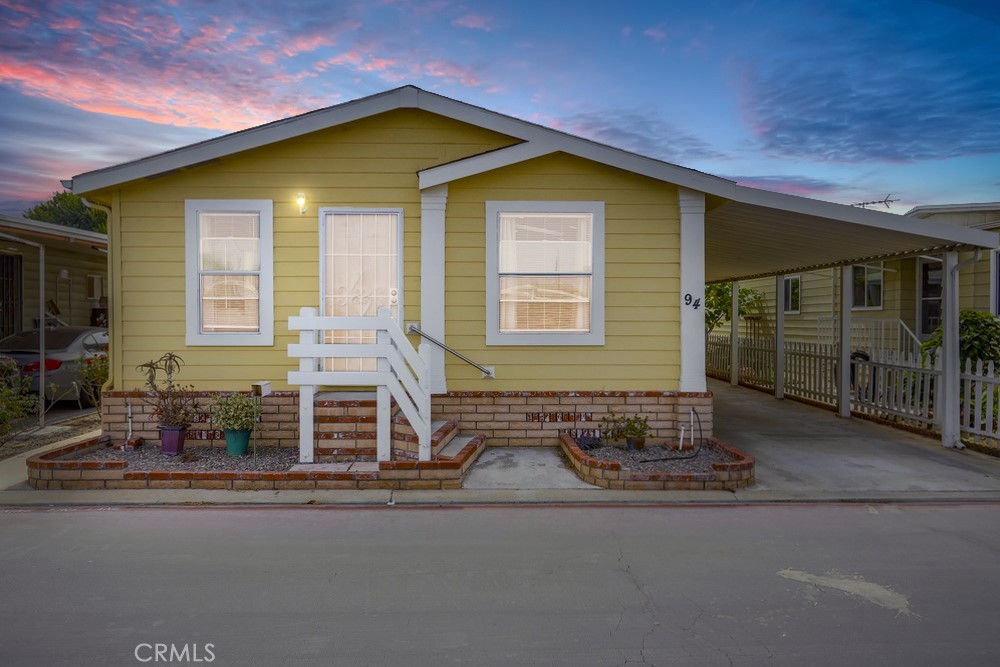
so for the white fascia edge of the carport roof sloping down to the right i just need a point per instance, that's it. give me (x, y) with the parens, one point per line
(864, 217)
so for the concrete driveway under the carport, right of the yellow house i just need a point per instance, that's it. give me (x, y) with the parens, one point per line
(808, 452)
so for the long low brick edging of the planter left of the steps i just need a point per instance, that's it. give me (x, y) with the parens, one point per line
(45, 472)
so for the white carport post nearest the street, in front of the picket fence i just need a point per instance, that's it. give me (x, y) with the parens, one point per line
(950, 362)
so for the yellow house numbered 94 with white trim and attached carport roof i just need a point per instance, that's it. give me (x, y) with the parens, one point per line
(572, 270)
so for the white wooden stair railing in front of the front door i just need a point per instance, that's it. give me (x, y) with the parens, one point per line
(401, 374)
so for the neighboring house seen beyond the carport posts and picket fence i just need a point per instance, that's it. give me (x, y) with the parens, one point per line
(896, 303)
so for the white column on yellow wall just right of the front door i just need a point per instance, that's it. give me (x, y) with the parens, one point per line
(433, 202)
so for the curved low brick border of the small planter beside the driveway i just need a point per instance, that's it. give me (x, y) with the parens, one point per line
(737, 474)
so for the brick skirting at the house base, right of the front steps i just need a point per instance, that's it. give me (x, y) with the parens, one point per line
(536, 418)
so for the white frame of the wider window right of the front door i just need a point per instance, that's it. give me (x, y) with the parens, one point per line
(493, 334)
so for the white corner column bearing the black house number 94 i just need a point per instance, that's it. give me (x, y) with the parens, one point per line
(692, 208)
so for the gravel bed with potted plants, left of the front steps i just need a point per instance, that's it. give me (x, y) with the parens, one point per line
(195, 459)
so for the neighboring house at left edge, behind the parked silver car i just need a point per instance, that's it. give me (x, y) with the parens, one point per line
(75, 276)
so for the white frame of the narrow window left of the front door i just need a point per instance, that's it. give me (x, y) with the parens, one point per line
(194, 336)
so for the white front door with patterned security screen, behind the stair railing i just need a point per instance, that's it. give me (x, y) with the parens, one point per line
(361, 272)
